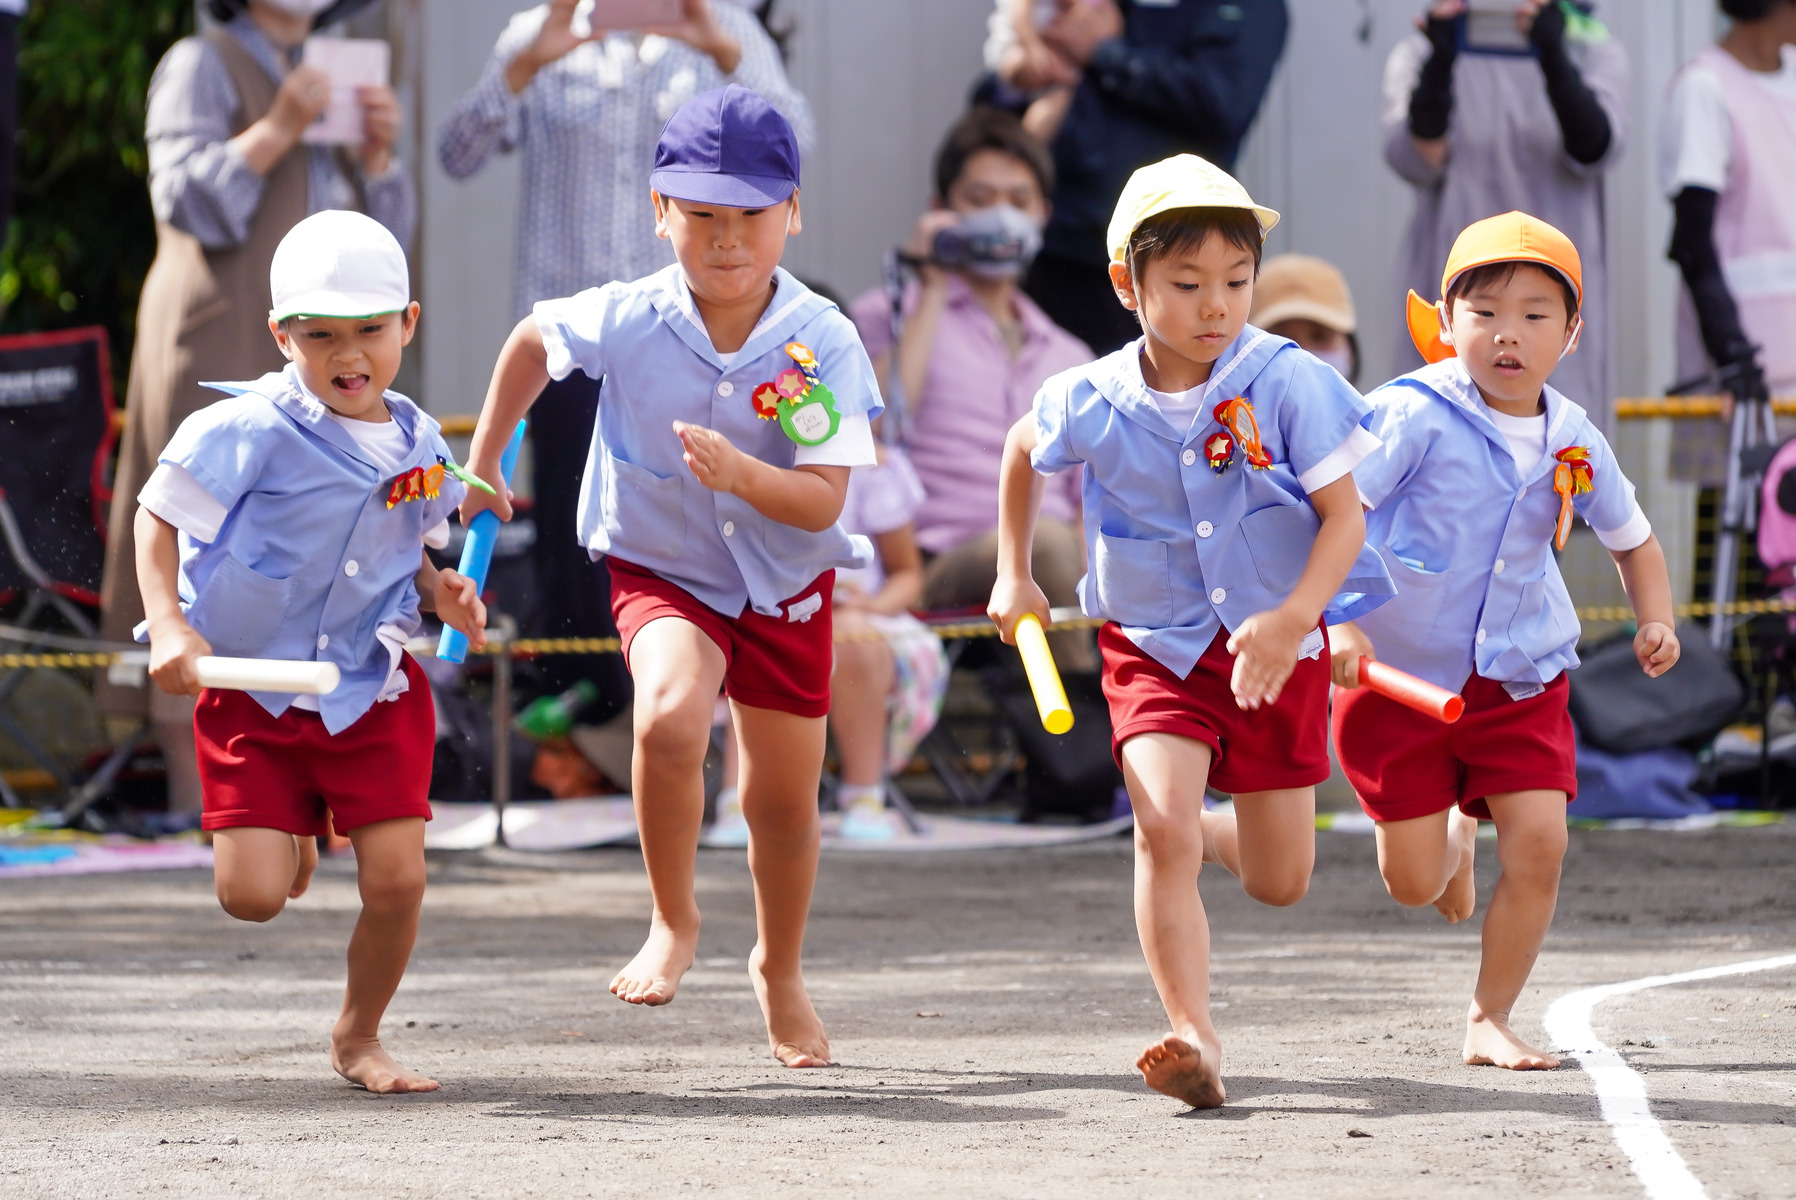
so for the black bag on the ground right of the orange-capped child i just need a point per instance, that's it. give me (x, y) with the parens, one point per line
(1623, 712)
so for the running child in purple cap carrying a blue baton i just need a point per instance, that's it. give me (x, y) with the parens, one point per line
(734, 405)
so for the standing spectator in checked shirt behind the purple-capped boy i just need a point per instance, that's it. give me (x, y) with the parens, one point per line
(586, 109)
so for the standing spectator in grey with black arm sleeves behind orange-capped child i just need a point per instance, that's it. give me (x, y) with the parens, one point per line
(1526, 123)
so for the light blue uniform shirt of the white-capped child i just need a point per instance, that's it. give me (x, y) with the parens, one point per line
(310, 561)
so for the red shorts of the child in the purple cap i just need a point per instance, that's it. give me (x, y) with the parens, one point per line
(770, 662)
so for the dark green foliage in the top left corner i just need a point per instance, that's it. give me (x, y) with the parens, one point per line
(82, 234)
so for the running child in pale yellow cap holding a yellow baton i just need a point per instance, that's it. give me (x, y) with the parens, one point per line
(1222, 520)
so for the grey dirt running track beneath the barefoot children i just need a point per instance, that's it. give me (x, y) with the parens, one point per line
(985, 1009)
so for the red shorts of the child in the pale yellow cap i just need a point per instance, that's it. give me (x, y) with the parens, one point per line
(1285, 745)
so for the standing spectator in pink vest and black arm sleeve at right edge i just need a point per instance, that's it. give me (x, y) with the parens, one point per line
(1729, 159)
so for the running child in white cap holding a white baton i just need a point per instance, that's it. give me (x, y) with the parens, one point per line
(290, 522)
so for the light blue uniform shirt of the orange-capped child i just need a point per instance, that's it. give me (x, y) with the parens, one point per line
(1470, 540)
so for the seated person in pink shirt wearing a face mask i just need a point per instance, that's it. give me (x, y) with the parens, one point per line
(973, 353)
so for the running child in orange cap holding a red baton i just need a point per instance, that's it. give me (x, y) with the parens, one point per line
(1481, 470)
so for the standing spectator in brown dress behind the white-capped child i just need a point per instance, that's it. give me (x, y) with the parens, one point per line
(227, 181)
